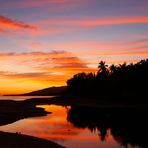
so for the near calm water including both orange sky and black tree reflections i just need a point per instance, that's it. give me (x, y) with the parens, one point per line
(77, 127)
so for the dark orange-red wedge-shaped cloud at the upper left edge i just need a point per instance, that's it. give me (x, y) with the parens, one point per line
(7, 23)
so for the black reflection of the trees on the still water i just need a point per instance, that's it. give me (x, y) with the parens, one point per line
(128, 126)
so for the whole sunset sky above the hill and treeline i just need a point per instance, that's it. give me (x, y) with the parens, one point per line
(45, 42)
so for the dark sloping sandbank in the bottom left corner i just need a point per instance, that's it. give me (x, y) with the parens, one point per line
(17, 140)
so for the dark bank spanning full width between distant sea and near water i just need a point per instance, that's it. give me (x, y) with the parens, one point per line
(12, 111)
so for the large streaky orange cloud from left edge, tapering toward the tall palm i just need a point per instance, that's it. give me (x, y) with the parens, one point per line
(39, 61)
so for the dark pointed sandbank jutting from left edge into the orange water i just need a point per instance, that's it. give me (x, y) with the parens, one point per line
(11, 111)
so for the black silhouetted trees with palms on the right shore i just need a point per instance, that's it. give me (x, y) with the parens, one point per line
(122, 81)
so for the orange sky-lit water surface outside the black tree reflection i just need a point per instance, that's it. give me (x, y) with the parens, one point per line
(56, 127)
